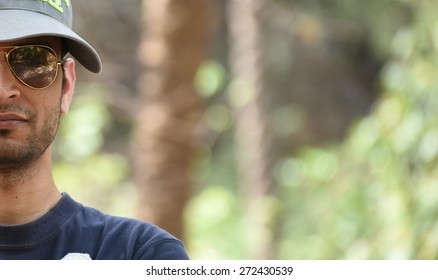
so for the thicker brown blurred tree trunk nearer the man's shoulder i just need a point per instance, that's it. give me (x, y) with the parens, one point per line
(173, 44)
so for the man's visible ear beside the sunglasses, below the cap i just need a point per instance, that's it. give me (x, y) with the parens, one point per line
(68, 85)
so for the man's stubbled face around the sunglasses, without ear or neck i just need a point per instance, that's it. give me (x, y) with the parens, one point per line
(28, 117)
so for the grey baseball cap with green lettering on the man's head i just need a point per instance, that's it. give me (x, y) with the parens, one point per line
(21, 19)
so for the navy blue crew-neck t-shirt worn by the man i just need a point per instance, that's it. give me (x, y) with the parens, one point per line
(71, 228)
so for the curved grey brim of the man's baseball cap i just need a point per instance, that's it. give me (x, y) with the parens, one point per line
(19, 24)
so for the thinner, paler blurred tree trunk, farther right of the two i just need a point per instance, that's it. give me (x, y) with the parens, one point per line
(249, 89)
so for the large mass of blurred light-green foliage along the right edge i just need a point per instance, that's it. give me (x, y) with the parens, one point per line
(380, 200)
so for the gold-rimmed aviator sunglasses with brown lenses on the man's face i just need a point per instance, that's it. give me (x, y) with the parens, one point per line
(36, 66)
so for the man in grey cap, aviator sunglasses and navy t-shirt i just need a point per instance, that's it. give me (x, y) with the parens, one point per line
(36, 88)
